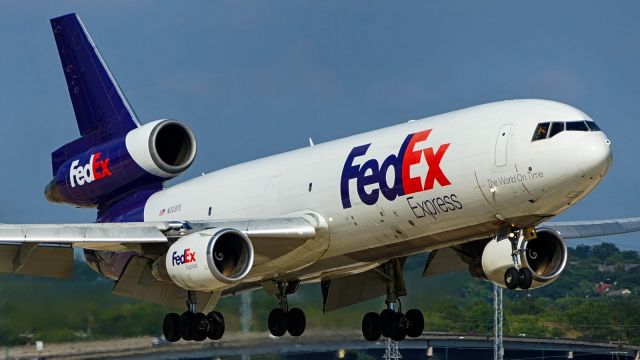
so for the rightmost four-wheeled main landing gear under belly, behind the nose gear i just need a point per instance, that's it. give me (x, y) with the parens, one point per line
(391, 322)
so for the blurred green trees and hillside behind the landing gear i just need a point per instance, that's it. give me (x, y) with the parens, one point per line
(84, 308)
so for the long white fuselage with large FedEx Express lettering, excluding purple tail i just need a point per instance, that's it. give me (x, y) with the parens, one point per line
(491, 172)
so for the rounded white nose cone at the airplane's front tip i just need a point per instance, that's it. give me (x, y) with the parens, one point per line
(592, 154)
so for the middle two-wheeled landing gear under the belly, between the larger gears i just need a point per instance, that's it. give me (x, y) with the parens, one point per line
(282, 319)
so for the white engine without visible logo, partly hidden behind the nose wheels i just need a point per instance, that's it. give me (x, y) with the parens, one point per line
(545, 256)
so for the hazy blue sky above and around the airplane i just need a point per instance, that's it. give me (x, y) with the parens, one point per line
(255, 78)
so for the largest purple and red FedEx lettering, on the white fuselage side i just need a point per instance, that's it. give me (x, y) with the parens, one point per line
(415, 168)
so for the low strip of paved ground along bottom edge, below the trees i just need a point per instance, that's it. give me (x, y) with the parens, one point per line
(324, 345)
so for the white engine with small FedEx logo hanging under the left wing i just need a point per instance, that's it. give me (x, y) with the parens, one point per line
(209, 260)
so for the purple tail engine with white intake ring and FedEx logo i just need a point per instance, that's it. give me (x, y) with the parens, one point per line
(87, 176)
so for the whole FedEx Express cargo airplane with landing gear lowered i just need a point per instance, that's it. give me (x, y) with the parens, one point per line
(472, 188)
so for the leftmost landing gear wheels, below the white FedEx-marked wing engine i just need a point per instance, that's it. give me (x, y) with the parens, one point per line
(192, 325)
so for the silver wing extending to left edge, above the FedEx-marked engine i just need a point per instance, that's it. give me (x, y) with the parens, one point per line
(47, 249)
